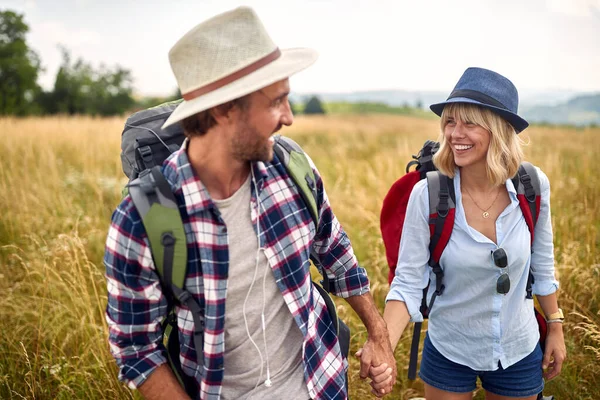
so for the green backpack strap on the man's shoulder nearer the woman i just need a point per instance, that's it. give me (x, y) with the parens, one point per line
(296, 163)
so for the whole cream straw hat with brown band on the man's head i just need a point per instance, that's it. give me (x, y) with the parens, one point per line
(226, 57)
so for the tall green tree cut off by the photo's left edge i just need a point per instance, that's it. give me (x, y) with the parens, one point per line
(19, 66)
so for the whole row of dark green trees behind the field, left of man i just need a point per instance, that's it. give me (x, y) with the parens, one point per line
(79, 88)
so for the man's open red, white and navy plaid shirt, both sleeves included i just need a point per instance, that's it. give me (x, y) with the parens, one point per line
(136, 304)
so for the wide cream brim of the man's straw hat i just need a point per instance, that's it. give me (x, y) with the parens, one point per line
(290, 62)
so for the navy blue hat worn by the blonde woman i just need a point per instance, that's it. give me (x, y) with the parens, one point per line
(487, 89)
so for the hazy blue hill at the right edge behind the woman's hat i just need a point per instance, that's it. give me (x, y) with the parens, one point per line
(580, 110)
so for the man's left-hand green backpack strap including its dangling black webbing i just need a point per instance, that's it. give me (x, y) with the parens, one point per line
(155, 202)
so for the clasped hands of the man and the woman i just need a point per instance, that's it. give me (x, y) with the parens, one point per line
(378, 363)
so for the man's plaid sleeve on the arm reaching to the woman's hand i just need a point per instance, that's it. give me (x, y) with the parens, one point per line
(332, 250)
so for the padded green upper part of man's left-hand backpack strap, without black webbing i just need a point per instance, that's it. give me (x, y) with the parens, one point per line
(153, 198)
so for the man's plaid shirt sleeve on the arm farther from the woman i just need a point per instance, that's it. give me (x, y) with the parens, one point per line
(136, 305)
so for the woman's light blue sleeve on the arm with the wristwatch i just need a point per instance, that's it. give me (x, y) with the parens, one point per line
(542, 259)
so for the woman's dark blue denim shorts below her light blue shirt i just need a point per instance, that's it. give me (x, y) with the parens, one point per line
(522, 379)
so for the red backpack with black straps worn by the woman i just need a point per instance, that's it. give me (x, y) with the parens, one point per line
(441, 222)
